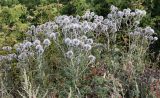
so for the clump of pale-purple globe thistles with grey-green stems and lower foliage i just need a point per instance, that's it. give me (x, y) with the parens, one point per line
(81, 56)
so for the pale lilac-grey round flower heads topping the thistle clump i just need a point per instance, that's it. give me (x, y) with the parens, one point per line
(76, 31)
